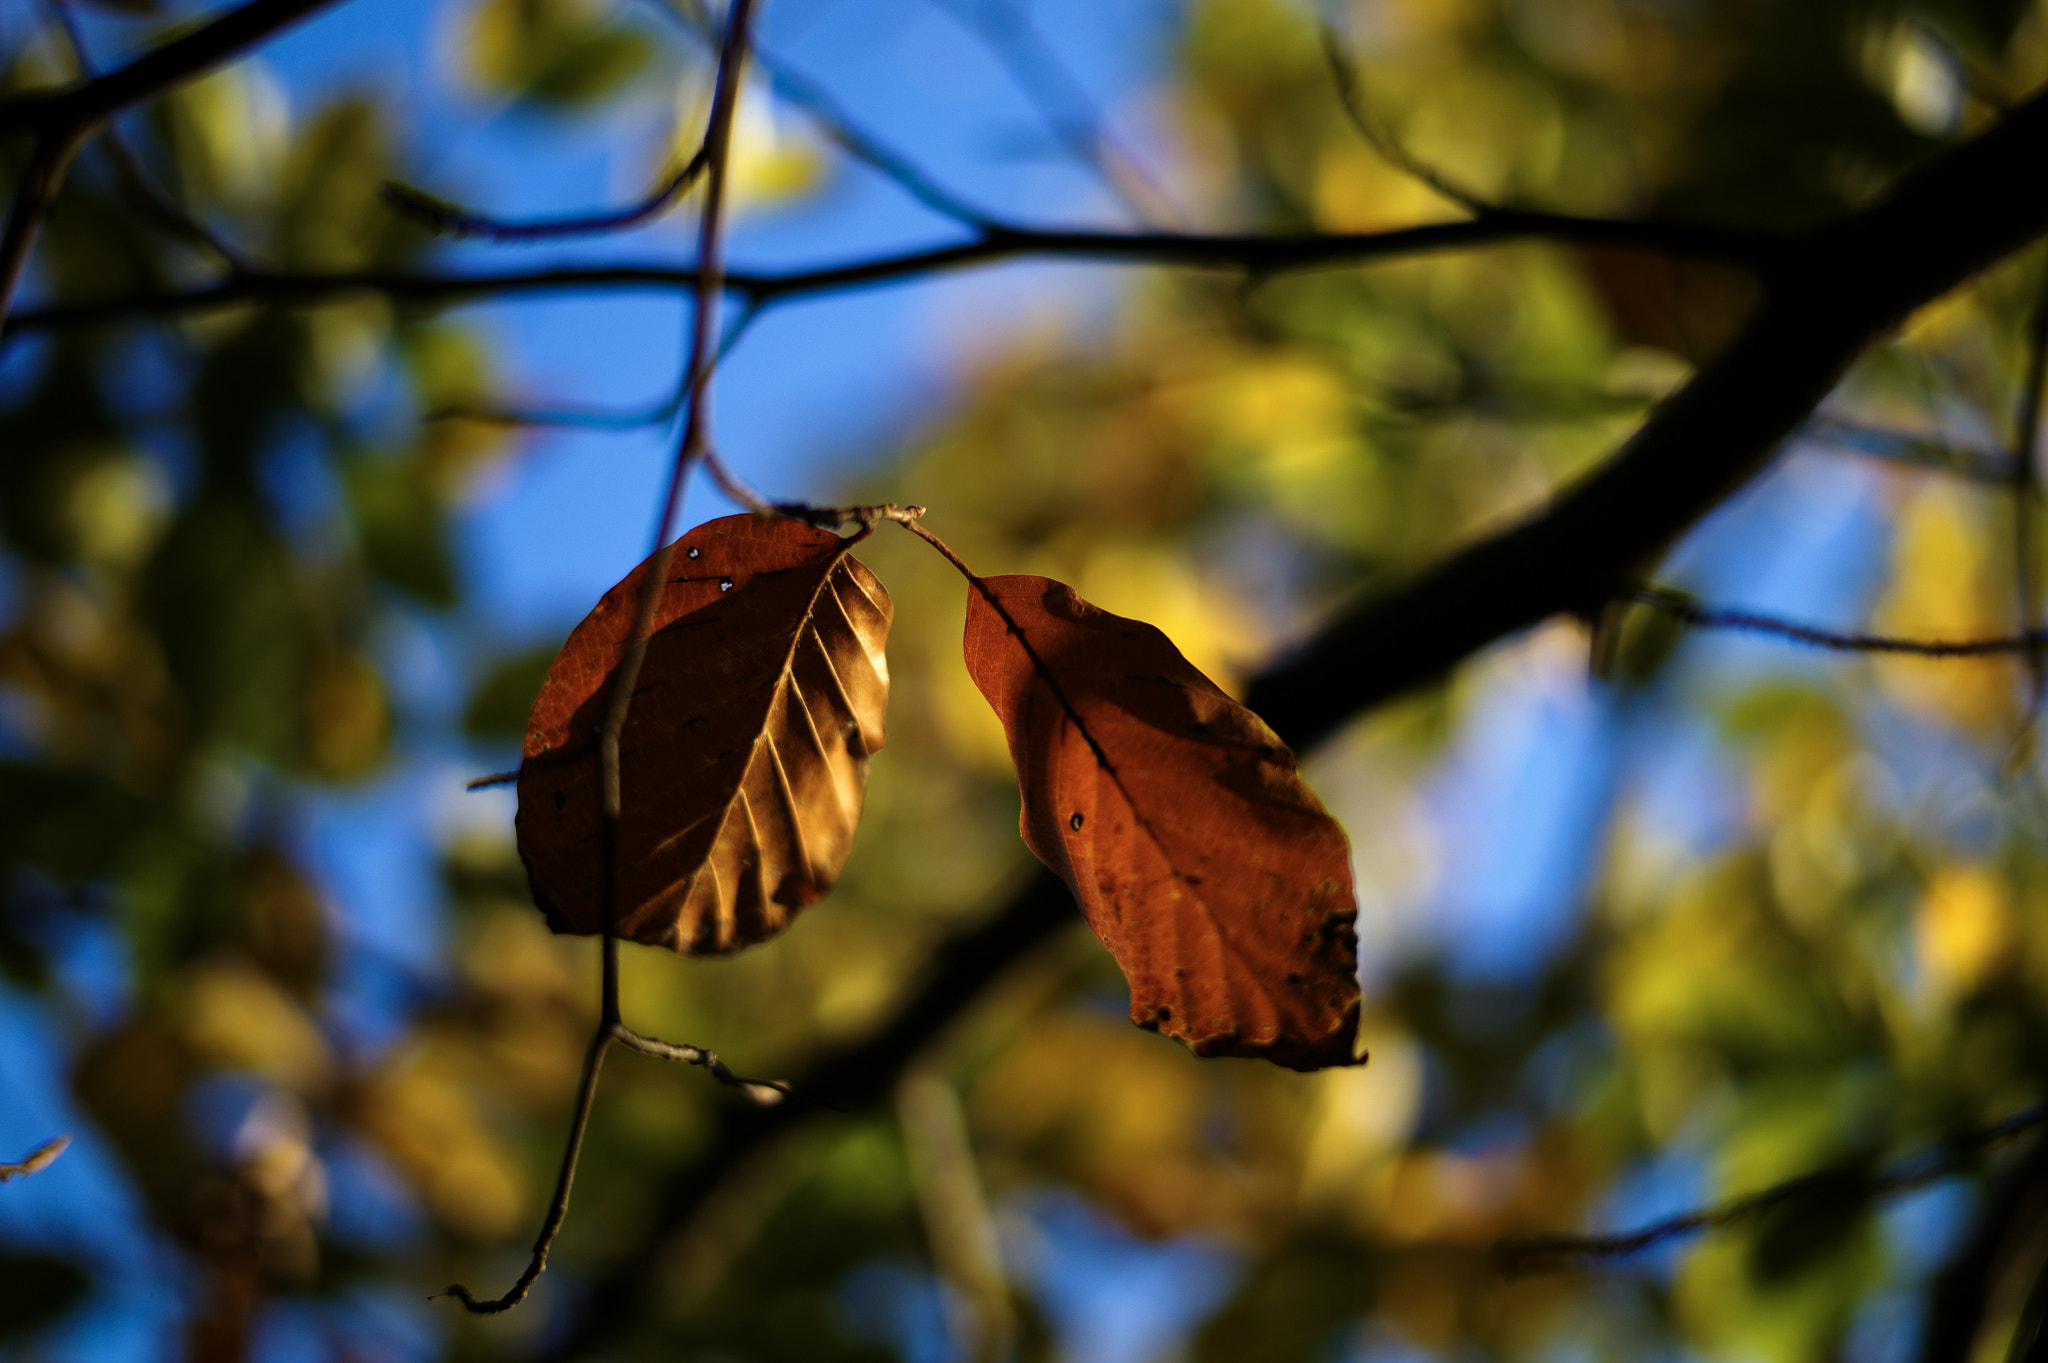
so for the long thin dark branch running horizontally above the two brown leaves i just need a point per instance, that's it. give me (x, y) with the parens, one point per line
(1261, 255)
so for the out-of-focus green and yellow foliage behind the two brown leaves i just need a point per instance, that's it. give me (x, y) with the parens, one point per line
(1838, 957)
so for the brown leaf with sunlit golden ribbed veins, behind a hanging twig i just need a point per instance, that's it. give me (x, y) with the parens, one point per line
(744, 756)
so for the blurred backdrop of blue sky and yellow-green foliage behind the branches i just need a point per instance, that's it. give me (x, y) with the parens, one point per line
(278, 582)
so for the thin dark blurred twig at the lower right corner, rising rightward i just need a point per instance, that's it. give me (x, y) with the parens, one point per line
(1859, 1182)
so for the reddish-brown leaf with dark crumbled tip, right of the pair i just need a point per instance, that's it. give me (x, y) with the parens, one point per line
(1181, 824)
